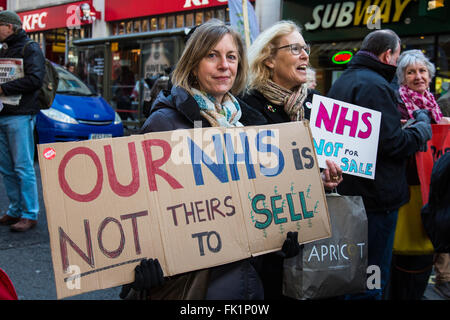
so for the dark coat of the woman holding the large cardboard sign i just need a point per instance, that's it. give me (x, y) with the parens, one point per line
(178, 110)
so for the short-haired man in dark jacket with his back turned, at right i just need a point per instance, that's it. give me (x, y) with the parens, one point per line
(366, 83)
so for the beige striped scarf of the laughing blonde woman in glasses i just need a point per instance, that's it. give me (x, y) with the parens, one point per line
(291, 100)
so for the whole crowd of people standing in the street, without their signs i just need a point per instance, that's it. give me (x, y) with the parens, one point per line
(221, 83)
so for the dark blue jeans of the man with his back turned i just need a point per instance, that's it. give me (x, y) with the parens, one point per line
(381, 231)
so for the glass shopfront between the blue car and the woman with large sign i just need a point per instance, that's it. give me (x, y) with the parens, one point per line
(117, 67)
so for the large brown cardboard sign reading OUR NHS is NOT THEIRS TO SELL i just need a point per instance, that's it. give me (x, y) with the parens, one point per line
(191, 198)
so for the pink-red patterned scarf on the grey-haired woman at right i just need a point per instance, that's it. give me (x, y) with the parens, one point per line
(415, 101)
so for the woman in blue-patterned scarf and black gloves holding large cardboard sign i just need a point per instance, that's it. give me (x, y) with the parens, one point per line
(210, 72)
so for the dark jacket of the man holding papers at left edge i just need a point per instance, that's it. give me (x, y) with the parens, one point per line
(34, 70)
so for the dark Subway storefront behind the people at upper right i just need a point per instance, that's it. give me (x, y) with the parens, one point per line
(335, 30)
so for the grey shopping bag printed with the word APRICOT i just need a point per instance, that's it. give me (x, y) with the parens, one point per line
(334, 266)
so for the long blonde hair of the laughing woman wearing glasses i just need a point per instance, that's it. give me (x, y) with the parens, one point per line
(263, 48)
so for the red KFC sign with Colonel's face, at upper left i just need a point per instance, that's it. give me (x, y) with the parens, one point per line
(70, 16)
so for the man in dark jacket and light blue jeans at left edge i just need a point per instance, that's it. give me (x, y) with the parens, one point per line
(17, 121)
